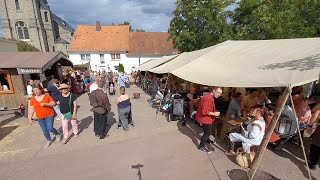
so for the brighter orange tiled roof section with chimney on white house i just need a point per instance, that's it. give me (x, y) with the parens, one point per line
(110, 38)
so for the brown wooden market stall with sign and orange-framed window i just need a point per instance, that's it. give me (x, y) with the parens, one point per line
(17, 67)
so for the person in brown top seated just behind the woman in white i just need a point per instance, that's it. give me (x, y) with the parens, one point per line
(250, 101)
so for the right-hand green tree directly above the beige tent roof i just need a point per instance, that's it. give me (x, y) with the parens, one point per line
(275, 19)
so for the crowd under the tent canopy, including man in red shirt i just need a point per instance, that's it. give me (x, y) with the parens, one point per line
(258, 105)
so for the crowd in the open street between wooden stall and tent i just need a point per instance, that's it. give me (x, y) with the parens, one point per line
(54, 99)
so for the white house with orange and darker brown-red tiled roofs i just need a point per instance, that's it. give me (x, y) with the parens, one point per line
(104, 47)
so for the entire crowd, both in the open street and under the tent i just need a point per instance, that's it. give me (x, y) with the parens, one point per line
(53, 97)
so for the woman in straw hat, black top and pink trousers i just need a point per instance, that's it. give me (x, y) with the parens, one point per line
(68, 108)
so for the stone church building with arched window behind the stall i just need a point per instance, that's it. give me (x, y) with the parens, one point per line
(33, 21)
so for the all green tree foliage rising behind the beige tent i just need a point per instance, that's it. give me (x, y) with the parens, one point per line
(203, 23)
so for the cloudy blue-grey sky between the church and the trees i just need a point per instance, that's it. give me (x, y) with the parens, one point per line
(150, 15)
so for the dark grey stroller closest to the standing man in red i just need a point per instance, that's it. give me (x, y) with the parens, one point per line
(176, 110)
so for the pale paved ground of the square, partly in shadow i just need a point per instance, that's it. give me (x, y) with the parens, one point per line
(154, 149)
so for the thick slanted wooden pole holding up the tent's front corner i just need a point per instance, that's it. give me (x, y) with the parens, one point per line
(265, 141)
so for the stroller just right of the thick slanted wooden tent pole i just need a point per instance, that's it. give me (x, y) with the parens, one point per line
(286, 127)
